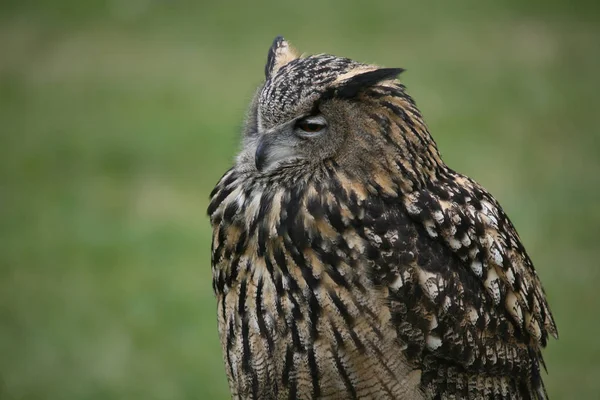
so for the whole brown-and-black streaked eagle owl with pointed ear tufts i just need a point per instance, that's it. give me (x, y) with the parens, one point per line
(349, 261)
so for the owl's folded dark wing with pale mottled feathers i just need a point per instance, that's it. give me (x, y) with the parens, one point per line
(466, 326)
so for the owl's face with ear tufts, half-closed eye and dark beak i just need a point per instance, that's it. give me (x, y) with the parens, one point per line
(306, 111)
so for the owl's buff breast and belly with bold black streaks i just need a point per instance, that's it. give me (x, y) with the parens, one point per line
(298, 313)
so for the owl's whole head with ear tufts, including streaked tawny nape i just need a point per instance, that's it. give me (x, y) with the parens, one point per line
(319, 109)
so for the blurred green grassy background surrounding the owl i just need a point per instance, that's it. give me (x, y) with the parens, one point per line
(118, 117)
